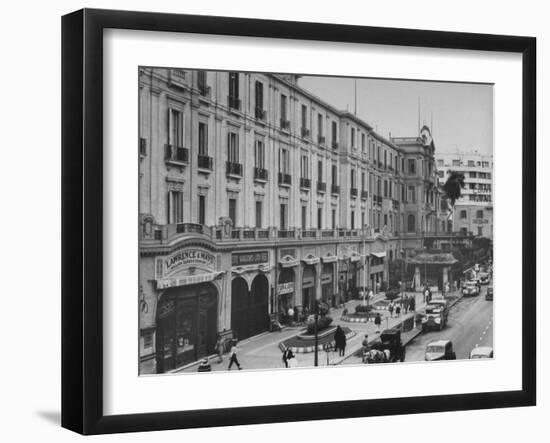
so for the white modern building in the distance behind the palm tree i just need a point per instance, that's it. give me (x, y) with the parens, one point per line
(473, 212)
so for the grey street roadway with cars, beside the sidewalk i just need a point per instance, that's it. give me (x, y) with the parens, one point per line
(470, 325)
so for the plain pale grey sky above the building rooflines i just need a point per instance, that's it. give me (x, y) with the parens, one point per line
(459, 114)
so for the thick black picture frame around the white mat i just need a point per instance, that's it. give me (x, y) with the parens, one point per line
(82, 218)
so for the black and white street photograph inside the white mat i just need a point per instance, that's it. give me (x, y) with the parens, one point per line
(296, 221)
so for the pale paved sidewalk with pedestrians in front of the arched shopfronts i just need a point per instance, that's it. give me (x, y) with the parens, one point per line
(262, 351)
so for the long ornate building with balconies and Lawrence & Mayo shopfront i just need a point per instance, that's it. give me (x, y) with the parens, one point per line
(257, 196)
